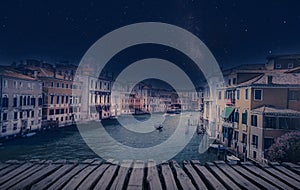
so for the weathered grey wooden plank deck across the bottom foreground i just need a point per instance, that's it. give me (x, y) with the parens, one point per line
(96, 174)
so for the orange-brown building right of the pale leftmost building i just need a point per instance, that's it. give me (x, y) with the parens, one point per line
(60, 107)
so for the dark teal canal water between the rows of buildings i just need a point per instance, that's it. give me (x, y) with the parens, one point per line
(67, 143)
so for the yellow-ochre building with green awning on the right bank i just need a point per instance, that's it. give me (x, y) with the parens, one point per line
(257, 105)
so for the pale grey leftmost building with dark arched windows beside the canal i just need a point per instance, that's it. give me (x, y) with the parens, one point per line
(21, 102)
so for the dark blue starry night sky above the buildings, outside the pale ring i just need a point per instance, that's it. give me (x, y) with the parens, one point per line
(235, 31)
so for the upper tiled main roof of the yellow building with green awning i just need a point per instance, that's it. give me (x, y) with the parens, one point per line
(278, 78)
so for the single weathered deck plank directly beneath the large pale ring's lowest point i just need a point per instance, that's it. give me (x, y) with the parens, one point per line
(153, 180)
